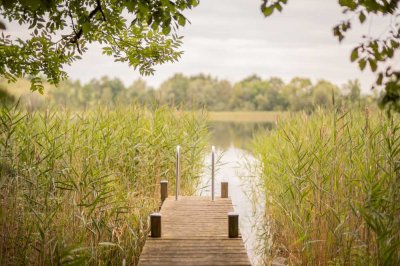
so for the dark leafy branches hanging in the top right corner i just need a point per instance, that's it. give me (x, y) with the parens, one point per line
(375, 53)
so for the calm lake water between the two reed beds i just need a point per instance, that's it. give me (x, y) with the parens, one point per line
(233, 141)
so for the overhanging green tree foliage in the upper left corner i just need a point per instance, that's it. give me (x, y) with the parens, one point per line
(141, 33)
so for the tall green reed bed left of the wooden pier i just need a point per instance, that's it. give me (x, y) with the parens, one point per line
(77, 187)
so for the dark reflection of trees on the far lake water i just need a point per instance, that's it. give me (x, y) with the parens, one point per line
(239, 135)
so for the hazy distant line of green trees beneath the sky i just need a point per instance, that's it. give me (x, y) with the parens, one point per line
(204, 91)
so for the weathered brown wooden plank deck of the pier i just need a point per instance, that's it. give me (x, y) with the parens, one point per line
(194, 232)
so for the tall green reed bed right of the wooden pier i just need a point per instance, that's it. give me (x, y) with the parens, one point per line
(332, 188)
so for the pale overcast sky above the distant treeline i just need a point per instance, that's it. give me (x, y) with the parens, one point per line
(230, 39)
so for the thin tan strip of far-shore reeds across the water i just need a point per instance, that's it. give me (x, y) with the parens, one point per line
(242, 116)
